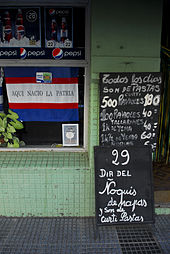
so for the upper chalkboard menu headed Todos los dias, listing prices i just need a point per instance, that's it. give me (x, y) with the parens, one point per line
(129, 108)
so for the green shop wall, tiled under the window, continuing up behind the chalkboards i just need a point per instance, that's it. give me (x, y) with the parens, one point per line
(125, 36)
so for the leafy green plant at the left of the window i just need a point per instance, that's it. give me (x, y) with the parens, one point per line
(8, 126)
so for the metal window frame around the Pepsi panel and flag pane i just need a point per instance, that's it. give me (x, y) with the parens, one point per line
(62, 63)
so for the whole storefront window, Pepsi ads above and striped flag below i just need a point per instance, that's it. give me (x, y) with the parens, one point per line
(45, 76)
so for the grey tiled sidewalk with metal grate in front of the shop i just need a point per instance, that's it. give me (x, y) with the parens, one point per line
(78, 236)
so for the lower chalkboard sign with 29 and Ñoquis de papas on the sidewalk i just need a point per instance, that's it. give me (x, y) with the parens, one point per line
(123, 184)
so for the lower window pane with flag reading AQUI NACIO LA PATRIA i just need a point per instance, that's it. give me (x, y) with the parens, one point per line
(45, 98)
